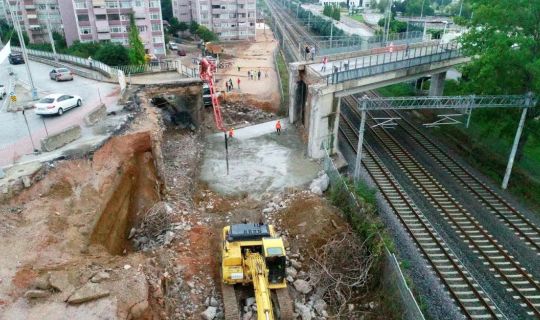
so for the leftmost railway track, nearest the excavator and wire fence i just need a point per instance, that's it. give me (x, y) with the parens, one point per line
(473, 302)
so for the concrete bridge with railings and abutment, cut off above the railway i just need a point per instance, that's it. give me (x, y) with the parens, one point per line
(317, 88)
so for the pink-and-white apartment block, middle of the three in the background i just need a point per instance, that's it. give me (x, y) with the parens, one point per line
(101, 20)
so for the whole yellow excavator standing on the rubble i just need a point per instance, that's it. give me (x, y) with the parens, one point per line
(253, 255)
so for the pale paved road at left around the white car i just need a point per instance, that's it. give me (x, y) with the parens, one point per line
(14, 136)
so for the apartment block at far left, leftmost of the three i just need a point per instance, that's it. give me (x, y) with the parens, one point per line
(35, 16)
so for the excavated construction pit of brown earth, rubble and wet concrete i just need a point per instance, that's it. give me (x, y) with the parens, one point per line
(132, 230)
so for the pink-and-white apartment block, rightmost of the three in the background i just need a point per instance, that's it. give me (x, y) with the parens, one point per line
(230, 20)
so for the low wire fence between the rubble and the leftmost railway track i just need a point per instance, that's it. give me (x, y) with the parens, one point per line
(393, 278)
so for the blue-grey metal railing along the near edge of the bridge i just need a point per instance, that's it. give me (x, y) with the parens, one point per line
(368, 66)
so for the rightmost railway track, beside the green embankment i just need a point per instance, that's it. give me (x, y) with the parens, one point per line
(521, 226)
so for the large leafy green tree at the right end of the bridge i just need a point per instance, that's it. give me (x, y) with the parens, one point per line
(504, 43)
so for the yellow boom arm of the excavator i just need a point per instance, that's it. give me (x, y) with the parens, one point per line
(256, 267)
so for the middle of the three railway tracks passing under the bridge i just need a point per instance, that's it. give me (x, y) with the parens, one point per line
(504, 267)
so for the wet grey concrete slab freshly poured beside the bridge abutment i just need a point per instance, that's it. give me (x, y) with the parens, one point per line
(260, 161)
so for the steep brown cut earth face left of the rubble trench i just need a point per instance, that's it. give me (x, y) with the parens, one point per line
(134, 190)
